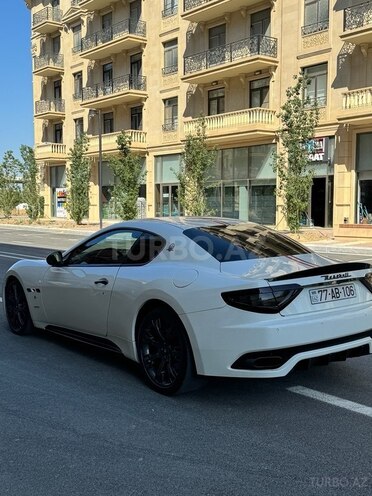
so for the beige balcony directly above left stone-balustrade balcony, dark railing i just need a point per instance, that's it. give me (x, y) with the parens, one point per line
(124, 89)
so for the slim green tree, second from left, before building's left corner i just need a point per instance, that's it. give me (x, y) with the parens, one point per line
(31, 189)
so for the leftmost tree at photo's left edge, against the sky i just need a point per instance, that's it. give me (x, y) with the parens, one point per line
(10, 192)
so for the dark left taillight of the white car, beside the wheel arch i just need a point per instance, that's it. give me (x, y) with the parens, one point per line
(262, 300)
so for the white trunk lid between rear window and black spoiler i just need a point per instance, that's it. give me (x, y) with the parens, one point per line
(269, 268)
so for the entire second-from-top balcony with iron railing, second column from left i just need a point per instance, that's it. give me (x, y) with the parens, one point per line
(124, 35)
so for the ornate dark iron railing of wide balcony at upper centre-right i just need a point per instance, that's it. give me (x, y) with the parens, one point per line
(224, 54)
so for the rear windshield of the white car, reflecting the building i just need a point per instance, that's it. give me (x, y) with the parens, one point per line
(229, 243)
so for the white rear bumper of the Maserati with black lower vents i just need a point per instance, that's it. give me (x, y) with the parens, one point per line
(271, 346)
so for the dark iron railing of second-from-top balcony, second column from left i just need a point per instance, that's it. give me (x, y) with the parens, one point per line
(128, 26)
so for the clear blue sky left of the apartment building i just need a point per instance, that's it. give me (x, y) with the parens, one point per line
(16, 122)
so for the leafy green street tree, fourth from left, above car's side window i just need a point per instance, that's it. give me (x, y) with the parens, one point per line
(127, 169)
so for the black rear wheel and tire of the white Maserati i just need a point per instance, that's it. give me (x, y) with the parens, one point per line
(164, 353)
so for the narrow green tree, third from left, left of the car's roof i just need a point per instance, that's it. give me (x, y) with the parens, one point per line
(78, 177)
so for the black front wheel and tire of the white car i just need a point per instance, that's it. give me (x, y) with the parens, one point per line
(16, 307)
